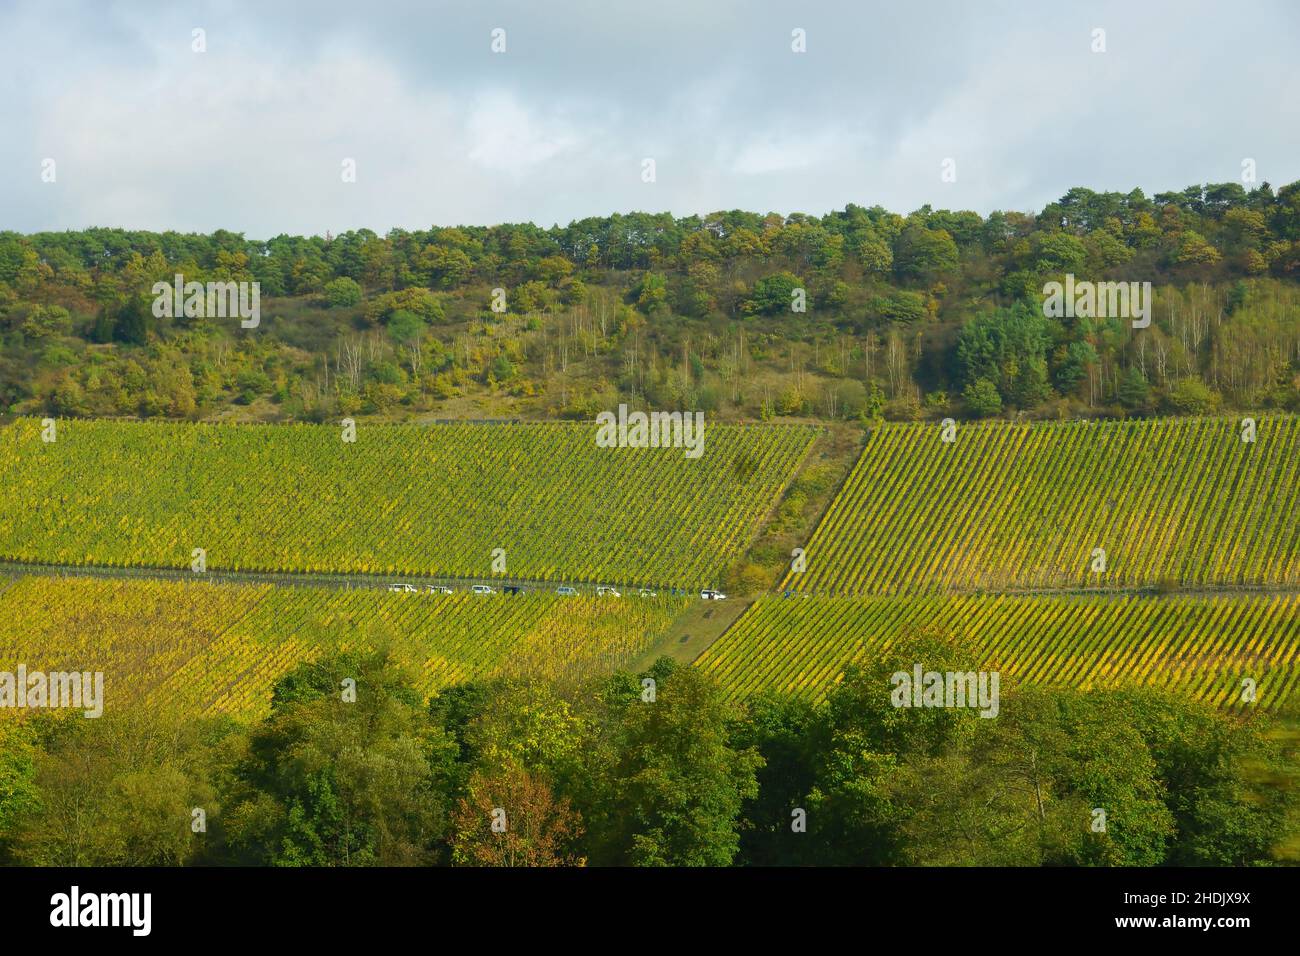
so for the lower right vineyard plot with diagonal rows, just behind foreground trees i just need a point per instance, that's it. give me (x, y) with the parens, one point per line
(1201, 647)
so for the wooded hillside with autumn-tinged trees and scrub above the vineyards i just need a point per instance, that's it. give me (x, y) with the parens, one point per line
(937, 313)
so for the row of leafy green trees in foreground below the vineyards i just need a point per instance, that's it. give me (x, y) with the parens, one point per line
(653, 769)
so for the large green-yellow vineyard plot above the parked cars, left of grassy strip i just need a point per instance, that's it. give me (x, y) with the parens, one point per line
(541, 501)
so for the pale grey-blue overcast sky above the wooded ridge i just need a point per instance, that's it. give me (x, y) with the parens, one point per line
(252, 135)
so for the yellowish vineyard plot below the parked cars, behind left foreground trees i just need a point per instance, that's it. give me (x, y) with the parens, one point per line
(203, 648)
